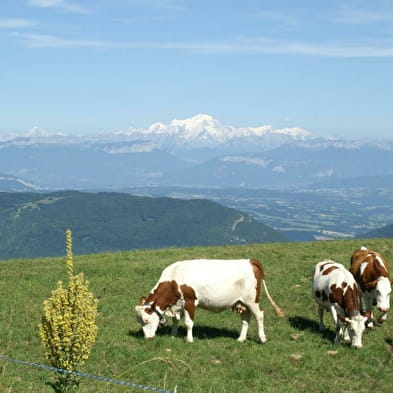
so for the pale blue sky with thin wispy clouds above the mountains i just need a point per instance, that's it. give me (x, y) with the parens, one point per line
(85, 67)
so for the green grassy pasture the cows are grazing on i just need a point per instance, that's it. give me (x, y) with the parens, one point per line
(296, 358)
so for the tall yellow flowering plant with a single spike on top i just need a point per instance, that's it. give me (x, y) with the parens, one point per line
(68, 326)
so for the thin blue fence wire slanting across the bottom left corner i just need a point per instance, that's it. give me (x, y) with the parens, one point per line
(85, 375)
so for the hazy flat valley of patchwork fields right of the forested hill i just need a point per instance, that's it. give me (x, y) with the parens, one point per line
(304, 214)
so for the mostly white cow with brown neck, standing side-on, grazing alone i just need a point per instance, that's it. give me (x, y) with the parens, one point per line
(212, 284)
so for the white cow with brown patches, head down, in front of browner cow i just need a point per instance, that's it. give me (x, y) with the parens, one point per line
(335, 290)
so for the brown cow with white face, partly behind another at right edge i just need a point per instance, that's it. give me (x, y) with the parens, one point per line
(371, 272)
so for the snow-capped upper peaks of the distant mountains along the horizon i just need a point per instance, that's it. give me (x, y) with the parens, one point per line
(199, 131)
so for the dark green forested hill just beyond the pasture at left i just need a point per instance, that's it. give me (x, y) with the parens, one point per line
(33, 224)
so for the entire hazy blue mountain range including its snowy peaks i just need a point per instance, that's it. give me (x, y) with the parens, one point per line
(199, 151)
